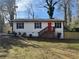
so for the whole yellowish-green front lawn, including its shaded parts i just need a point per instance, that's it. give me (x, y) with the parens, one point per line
(36, 48)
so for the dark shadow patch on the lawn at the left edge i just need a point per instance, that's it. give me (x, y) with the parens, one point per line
(7, 43)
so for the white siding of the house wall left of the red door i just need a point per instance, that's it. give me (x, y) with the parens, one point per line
(29, 28)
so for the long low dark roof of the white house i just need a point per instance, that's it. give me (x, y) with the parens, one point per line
(36, 20)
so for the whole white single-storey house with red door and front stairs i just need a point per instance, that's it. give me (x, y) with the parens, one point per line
(39, 27)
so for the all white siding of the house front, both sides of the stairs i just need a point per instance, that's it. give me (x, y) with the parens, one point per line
(29, 28)
